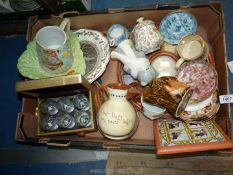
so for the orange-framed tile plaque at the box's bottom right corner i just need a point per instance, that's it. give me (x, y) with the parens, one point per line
(175, 136)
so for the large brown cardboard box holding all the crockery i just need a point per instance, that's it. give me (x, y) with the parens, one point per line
(210, 19)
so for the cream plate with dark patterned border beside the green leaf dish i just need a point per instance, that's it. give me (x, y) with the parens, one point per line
(96, 53)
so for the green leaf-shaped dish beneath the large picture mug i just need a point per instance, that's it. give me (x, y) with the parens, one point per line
(29, 66)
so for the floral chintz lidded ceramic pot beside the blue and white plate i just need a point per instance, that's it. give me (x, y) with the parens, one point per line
(147, 38)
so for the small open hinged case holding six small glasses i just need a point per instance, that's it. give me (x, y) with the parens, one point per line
(54, 89)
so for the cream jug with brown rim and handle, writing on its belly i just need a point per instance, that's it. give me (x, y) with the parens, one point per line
(117, 118)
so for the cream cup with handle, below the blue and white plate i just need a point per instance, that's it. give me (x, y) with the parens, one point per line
(190, 48)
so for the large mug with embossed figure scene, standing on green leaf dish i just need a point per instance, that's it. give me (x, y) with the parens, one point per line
(53, 47)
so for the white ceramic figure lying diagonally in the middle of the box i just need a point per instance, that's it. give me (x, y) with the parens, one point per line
(135, 63)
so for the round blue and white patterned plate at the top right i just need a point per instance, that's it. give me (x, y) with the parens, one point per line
(177, 25)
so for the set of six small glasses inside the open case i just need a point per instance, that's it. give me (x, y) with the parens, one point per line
(64, 113)
